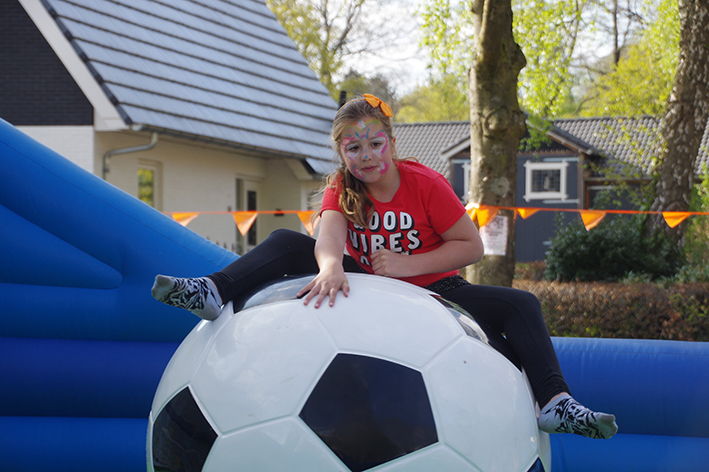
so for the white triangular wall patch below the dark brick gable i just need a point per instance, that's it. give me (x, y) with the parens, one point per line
(76, 143)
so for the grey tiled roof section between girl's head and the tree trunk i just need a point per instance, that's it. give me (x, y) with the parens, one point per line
(428, 142)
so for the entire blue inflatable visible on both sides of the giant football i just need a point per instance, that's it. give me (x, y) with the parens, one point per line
(83, 344)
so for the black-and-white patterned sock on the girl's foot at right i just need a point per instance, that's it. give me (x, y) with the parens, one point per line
(566, 415)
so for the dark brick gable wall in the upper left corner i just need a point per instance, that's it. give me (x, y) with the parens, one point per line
(35, 88)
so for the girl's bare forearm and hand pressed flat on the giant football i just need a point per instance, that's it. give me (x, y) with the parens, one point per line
(329, 250)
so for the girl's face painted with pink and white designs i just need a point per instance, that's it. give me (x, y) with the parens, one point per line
(367, 150)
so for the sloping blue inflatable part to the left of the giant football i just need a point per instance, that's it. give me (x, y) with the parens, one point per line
(82, 342)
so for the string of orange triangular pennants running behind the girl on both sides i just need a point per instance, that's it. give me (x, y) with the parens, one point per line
(482, 214)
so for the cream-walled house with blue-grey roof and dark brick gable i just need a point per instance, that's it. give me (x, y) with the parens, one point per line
(190, 106)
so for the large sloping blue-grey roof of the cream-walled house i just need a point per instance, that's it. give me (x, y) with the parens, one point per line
(219, 70)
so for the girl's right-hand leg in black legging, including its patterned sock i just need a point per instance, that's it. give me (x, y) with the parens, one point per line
(518, 315)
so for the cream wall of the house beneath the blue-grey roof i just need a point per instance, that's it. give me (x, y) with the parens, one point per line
(202, 178)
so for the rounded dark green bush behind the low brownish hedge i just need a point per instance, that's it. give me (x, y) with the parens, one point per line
(610, 252)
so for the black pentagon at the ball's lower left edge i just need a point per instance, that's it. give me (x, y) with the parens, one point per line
(182, 436)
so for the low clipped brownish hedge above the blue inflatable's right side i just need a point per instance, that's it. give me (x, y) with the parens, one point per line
(616, 310)
